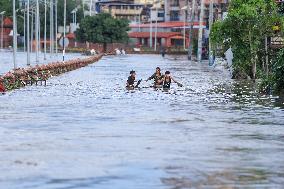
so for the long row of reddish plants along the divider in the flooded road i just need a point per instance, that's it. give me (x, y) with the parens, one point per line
(38, 74)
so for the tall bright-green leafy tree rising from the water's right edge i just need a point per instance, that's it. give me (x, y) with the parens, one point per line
(248, 23)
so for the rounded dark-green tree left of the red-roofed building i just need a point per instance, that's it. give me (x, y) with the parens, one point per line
(103, 28)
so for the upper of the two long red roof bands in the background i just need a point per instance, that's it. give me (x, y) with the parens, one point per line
(166, 24)
